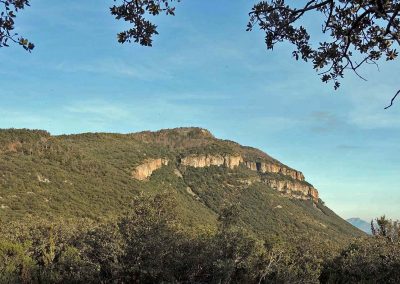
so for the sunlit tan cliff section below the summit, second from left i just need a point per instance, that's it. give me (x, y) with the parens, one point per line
(202, 161)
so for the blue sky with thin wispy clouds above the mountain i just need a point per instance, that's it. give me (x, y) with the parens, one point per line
(205, 70)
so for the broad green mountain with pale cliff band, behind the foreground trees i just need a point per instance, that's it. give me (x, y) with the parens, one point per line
(95, 176)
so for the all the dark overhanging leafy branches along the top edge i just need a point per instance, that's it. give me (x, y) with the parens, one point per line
(357, 32)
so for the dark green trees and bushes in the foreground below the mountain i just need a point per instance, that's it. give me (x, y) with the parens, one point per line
(149, 245)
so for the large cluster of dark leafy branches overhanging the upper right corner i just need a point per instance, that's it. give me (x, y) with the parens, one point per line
(359, 32)
